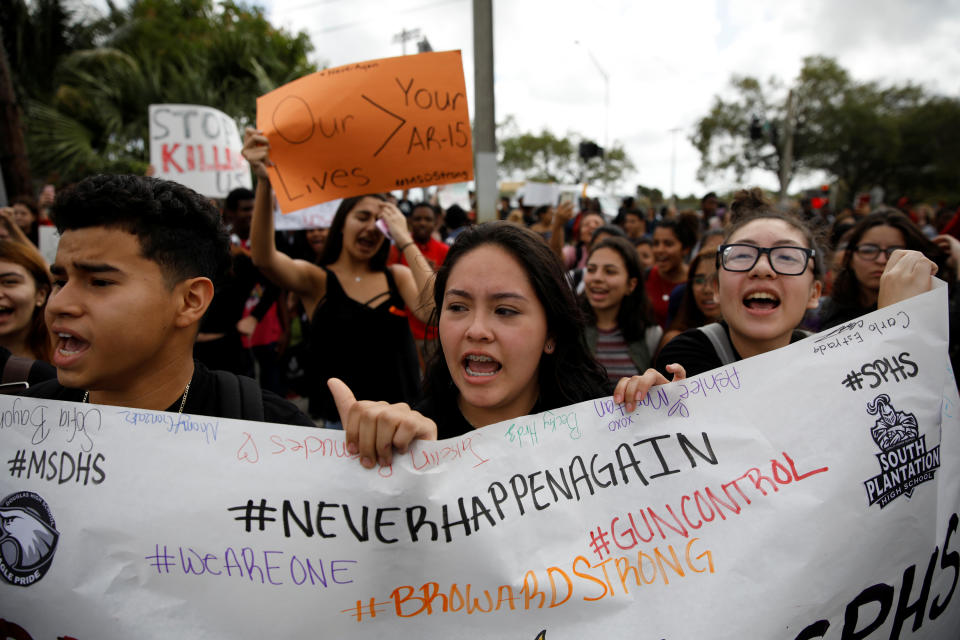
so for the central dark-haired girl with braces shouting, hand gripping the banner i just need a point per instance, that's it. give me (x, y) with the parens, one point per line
(510, 344)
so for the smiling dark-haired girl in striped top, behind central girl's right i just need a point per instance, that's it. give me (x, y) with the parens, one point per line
(620, 329)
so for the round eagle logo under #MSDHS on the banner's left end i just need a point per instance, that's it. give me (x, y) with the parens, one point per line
(28, 538)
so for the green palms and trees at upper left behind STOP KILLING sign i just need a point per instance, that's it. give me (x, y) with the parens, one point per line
(91, 113)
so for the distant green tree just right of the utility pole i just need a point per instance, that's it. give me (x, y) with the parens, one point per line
(545, 157)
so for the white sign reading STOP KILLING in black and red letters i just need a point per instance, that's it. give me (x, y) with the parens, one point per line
(199, 147)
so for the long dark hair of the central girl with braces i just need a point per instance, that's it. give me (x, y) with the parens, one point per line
(568, 375)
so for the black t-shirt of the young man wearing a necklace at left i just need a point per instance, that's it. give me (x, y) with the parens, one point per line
(203, 399)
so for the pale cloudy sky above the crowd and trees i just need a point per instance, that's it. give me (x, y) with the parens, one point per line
(665, 61)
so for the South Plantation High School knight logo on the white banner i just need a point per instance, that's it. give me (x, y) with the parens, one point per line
(905, 461)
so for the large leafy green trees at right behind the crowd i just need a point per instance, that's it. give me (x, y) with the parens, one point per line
(860, 133)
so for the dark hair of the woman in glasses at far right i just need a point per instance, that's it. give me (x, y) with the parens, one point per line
(846, 287)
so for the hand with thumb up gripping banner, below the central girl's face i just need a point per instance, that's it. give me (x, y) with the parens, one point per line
(374, 429)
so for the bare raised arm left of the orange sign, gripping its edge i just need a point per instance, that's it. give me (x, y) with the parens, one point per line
(299, 276)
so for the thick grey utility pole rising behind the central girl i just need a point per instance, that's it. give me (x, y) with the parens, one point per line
(484, 125)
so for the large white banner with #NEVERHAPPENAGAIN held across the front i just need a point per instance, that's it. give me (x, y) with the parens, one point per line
(811, 492)
